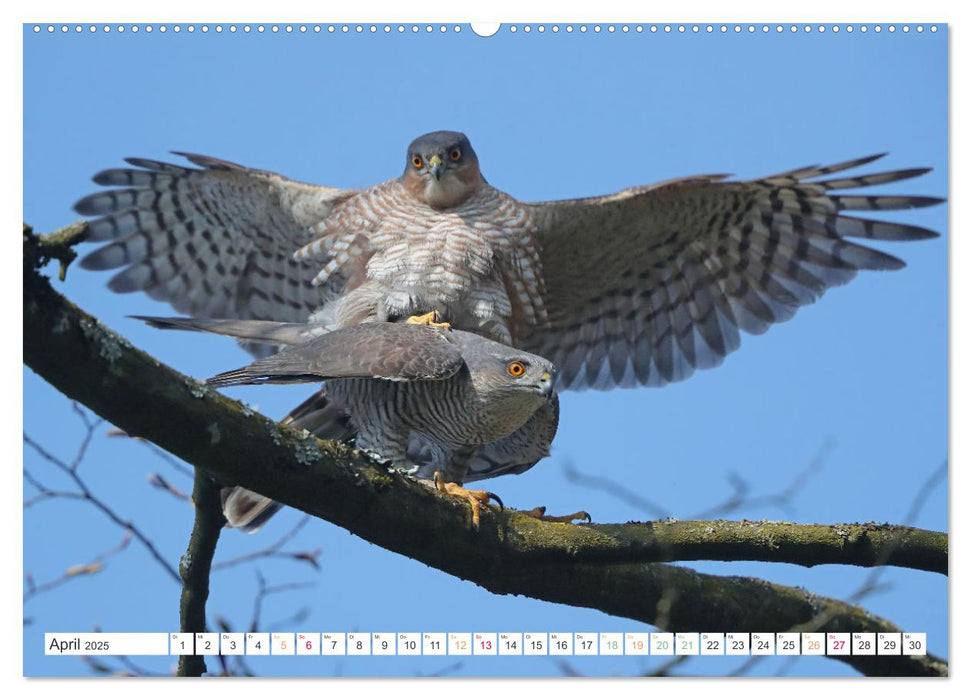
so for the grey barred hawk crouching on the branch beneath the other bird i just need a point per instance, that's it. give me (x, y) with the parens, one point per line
(467, 406)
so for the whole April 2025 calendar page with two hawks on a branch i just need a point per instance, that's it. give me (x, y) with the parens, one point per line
(602, 349)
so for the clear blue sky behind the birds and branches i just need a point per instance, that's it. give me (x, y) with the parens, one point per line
(550, 116)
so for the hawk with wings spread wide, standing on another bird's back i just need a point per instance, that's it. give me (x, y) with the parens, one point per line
(640, 287)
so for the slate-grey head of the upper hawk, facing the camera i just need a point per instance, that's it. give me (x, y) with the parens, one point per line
(442, 170)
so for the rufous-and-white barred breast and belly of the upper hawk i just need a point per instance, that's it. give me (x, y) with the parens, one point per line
(476, 263)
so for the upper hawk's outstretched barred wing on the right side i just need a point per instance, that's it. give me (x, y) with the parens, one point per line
(648, 284)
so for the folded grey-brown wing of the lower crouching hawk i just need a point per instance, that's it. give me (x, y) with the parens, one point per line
(395, 351)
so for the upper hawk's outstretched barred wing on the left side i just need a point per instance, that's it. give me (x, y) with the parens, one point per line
(213, 241)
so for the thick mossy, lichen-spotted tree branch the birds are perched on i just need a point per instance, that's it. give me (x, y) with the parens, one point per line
(608, 567)
